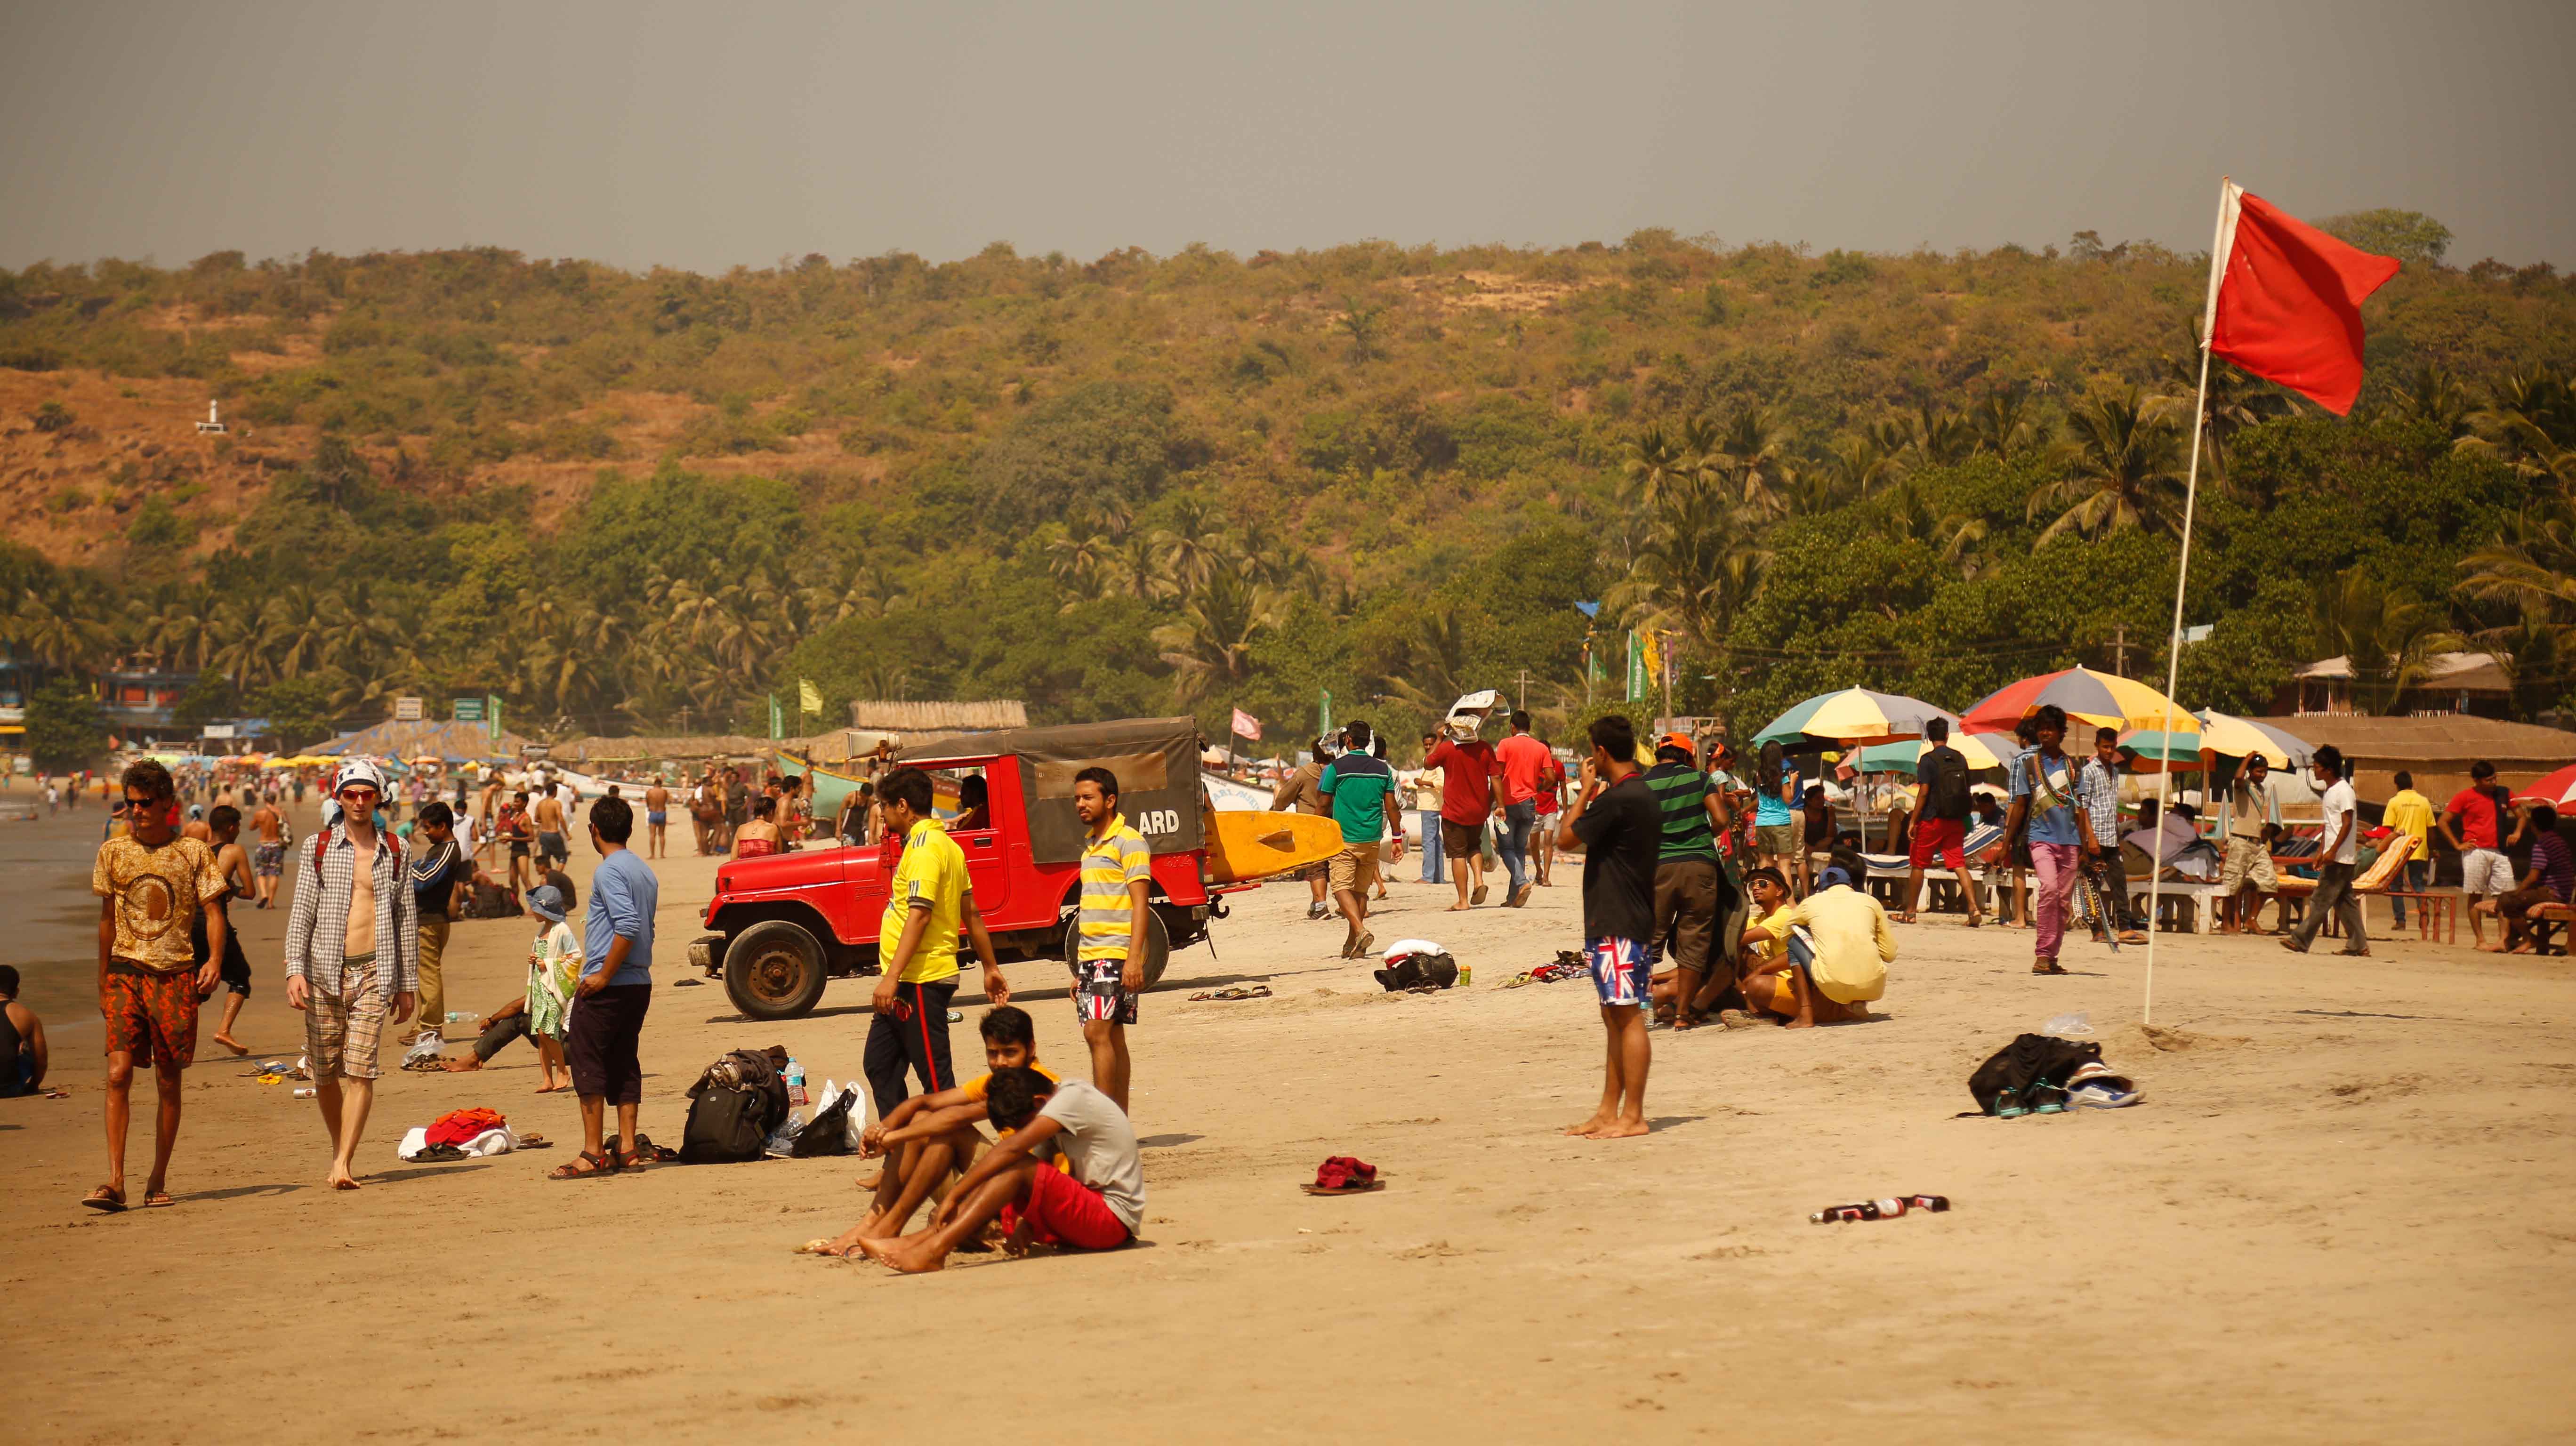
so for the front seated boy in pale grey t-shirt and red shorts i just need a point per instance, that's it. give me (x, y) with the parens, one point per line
(1099, 1208)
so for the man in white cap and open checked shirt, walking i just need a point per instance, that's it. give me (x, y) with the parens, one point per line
(352, 947)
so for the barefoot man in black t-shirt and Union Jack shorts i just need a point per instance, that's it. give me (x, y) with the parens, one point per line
(1619, 826)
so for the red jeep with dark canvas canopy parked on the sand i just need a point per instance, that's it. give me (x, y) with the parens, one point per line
(790, 921)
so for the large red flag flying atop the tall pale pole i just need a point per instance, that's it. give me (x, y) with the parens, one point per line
(2286, 300)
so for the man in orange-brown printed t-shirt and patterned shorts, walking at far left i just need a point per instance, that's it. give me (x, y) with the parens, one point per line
(151, 888)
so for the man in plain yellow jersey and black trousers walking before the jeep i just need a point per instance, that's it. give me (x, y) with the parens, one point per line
(918, 950)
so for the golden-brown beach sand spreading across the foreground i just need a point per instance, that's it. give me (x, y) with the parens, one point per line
(2343, 1213)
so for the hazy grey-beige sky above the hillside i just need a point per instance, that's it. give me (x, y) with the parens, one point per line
(715, 135)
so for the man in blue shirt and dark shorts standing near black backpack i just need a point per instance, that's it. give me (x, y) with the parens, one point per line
(614, 994)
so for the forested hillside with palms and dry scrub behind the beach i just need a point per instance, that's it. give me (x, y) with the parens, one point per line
(1209, 481)
